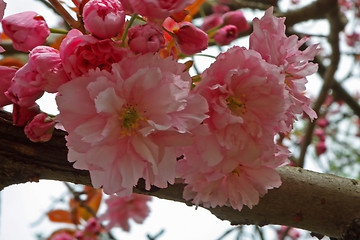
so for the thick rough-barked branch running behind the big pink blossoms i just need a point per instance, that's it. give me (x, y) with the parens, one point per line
(313, 201)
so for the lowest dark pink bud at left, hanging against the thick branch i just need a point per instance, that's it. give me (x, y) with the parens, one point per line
(40, 128)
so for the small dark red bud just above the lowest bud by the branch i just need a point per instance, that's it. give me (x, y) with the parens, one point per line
(22, 115)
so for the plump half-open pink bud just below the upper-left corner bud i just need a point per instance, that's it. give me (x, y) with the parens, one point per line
(43, 70)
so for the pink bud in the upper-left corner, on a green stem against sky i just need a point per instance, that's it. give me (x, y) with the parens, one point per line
(26, 29)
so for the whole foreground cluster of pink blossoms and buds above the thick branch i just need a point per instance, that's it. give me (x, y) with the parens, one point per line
(132, 110)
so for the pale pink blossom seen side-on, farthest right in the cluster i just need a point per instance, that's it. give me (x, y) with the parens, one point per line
(269, 39)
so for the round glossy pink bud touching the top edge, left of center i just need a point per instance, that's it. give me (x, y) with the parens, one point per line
(104, 18)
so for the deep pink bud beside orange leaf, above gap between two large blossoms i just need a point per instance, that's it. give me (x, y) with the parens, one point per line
(190, 39)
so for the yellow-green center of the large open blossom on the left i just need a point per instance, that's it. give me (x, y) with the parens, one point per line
(130, 120)
